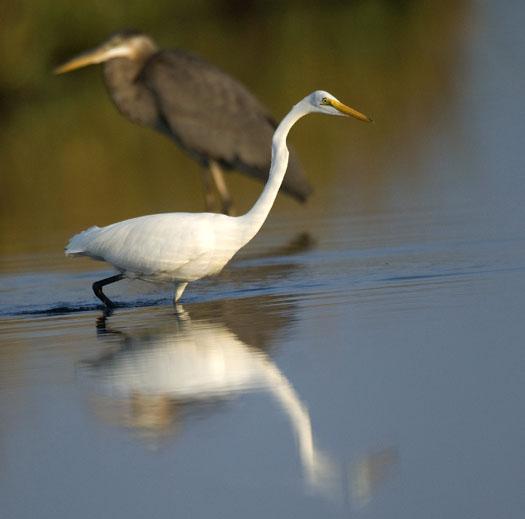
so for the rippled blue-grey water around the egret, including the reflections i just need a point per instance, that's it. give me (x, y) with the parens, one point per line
(362, 357)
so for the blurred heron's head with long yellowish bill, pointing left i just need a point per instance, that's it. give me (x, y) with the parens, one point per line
(129, 44)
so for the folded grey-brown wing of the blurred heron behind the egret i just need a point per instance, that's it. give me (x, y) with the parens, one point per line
(214, 117)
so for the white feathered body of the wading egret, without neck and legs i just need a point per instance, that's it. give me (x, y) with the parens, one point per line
(171, 247)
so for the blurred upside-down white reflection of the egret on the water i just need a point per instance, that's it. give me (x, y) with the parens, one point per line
(152, 378)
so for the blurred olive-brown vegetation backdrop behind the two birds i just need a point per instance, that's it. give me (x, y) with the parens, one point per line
(69, 160)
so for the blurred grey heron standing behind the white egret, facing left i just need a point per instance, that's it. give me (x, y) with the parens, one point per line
(209, 114)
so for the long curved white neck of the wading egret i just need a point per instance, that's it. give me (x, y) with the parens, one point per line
(252, 221)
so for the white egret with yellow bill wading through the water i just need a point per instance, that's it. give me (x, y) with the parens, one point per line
(183, 247)
